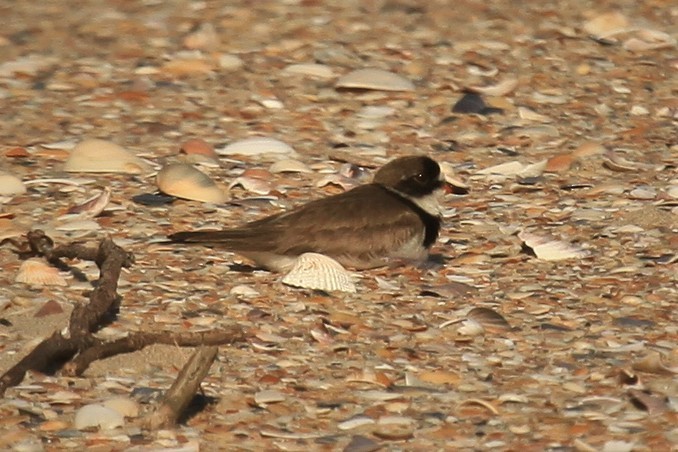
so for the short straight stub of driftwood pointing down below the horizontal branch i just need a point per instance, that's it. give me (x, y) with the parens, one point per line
(179, 395)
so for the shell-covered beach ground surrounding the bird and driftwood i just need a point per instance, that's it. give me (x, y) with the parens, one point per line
(549, 320)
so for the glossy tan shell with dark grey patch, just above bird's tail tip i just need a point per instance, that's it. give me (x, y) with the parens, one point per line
(187, 182)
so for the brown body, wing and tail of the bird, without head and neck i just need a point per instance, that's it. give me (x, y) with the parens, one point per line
(366, 223)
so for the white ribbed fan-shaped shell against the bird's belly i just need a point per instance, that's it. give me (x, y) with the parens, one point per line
(317, 271)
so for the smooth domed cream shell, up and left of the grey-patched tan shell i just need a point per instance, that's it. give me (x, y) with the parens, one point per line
(101, 156)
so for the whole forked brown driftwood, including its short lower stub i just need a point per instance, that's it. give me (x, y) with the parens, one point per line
(78, 348)
